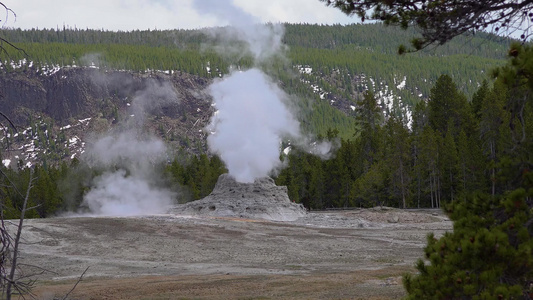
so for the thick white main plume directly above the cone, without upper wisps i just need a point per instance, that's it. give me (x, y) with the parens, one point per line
(249, 124)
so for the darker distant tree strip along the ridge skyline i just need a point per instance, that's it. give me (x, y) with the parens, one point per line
(376, 36)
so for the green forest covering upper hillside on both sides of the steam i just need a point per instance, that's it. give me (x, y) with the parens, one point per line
(353, 49)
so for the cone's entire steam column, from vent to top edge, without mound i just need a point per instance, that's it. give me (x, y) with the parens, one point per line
(253, 116)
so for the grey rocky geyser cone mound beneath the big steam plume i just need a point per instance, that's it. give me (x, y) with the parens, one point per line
(261, 199)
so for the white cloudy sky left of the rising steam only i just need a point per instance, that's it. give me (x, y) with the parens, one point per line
(110, 14)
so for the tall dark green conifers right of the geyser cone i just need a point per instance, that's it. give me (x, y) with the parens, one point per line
(452, 148)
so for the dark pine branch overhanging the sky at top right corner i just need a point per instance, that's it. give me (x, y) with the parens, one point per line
(441, 20)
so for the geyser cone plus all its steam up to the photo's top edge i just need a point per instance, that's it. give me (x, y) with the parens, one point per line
(253, 117)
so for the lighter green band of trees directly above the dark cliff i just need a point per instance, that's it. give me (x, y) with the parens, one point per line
(45, 56)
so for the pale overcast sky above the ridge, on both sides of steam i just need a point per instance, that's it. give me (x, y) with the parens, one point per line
(159, 14)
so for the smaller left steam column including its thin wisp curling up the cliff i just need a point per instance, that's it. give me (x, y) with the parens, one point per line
(129, 184)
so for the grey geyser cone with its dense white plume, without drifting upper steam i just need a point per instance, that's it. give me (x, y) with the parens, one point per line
(246, 132)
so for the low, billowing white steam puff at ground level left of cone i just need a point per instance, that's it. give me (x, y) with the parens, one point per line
(129, 186)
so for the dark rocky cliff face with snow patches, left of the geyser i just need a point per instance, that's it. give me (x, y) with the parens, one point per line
(72, 103)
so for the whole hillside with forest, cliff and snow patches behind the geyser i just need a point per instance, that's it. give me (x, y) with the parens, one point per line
(53, 85)
